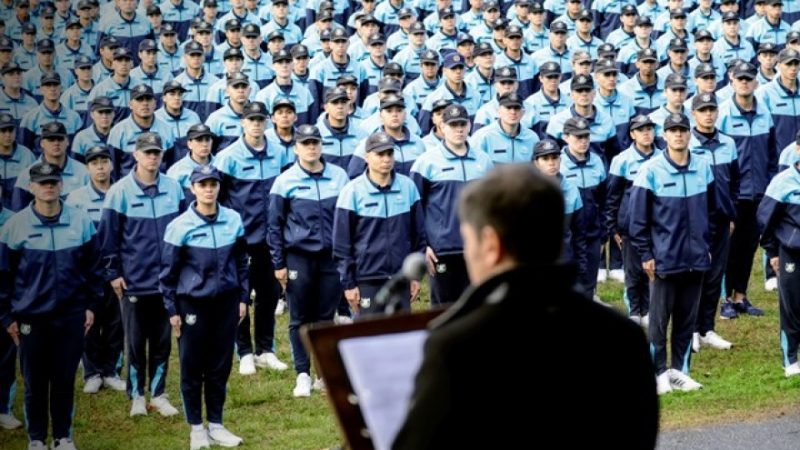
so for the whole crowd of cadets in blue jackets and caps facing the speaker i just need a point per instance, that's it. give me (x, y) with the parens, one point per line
(166, 165)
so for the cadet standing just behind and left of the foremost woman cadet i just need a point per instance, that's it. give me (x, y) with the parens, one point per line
(136, 212)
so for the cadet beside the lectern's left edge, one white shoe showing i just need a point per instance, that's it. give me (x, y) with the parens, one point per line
(301, 207)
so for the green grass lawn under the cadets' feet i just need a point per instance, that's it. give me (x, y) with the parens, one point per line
(744, 383)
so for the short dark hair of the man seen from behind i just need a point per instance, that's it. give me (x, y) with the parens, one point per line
(523, 206)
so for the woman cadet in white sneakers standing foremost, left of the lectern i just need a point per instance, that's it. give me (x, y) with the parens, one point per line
(204, 280)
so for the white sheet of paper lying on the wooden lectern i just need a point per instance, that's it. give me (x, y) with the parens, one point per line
(382, 370)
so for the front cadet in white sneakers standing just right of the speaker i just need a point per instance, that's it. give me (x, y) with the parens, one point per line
(669, 225)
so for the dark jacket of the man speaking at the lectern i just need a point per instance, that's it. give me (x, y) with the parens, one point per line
(591, 382)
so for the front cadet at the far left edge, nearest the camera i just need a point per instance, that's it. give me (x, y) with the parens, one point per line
(51, 274)
